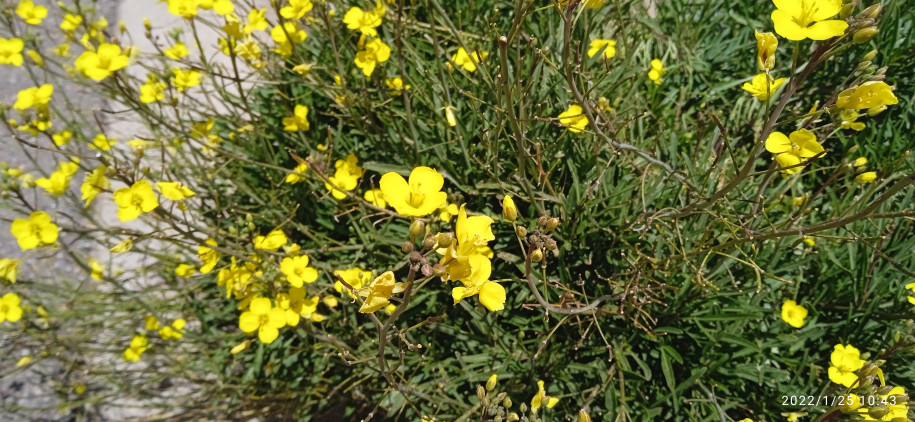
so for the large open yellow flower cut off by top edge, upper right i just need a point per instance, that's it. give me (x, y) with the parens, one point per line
(801, 19)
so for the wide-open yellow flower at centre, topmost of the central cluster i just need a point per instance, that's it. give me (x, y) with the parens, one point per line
(417, 198)
